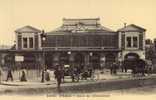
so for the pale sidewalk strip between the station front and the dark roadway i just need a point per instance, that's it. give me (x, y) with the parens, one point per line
(106, 76)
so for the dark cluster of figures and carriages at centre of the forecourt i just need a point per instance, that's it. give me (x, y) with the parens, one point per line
(76, 73)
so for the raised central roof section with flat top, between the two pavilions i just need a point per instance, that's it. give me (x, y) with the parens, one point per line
(81, 25)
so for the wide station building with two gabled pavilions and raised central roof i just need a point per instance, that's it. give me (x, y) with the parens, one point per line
(79, 42)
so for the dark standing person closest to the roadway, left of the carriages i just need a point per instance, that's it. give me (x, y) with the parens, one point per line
(58, 77)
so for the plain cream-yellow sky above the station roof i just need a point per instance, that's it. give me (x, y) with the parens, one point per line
(48, 14)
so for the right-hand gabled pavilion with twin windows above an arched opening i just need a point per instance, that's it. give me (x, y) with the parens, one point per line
(133, 41)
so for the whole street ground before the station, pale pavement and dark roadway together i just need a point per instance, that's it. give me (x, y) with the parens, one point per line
(106, 85)
